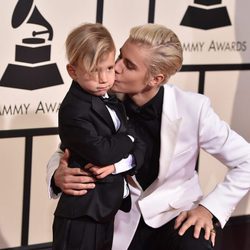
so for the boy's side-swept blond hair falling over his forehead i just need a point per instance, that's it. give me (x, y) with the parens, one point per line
(87, 44)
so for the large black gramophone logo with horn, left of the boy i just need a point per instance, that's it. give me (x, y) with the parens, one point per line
(32, 51)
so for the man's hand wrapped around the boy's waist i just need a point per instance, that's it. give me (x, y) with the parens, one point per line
(72, 181)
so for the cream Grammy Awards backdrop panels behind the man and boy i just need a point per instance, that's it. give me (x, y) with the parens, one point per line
(26, 109)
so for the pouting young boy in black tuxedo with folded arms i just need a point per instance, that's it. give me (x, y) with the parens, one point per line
(95, 132)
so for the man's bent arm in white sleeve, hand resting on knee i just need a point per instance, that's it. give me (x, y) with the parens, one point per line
(233, 151)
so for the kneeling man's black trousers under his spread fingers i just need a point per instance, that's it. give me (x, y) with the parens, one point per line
(167, 238)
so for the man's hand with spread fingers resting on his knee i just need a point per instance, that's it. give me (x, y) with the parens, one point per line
(199, 217)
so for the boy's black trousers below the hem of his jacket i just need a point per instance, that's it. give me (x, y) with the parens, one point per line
(82, 234)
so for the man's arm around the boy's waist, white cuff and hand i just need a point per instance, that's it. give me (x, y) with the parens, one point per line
(72, 181)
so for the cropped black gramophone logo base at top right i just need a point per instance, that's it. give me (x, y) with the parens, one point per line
(207, 14)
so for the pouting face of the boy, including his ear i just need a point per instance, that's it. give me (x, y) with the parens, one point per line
(98, 82)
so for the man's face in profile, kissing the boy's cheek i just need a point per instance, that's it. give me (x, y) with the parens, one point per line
(131, 72)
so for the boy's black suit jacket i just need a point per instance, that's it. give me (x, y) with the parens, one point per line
(87, 130)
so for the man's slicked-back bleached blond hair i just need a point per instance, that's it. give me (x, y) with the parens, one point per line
(166, 54)
